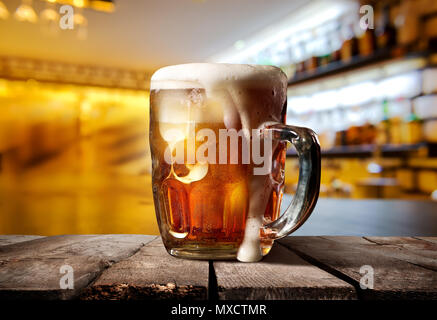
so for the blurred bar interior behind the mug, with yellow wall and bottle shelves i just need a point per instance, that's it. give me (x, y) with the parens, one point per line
(74, 155)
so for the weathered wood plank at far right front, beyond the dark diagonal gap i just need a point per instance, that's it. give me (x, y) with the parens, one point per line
(394, 278)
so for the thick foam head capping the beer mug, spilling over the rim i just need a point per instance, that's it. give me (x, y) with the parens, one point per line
(226, 83)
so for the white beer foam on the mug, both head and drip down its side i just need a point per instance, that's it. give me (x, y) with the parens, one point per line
(242, 108)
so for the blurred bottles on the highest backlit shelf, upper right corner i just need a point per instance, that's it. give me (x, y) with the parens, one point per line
(395, 29)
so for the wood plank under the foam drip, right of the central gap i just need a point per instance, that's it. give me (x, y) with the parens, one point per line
(280, 275)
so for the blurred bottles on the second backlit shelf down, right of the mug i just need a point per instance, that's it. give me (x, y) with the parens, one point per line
(374, 124)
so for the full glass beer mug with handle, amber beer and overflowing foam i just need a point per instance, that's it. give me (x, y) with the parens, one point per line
(218, 142)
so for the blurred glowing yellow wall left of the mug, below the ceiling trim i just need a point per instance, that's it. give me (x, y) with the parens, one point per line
(75, 159)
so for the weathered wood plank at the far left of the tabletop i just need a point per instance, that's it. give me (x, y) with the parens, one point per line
(31, 269)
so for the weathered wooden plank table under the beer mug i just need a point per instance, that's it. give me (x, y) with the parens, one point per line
(138, 267)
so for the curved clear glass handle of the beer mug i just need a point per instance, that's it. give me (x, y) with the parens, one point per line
(308, 150)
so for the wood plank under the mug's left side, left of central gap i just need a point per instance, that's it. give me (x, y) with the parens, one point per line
(151, 274)
